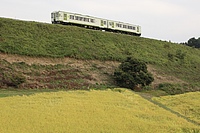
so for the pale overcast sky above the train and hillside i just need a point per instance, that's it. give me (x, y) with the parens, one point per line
(174, 20)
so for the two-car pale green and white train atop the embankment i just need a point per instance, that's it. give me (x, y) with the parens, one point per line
(67, 18)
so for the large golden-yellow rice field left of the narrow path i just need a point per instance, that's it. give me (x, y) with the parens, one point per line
(115, 110)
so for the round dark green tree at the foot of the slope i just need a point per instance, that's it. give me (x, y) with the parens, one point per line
(132, 73)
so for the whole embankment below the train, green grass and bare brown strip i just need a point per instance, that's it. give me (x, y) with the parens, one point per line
(44, 42)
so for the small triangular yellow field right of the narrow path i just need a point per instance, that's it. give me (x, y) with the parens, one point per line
(186, 104)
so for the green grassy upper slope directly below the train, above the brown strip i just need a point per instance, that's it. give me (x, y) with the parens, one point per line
(47, 40)
